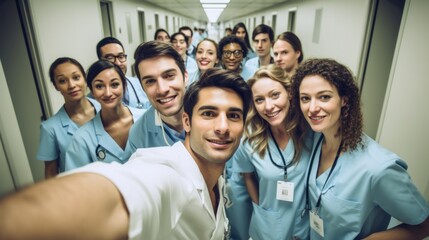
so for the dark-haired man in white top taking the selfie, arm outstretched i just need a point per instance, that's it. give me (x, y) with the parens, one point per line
(160, 193)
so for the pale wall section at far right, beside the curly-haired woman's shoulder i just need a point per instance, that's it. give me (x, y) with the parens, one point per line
(404, 126)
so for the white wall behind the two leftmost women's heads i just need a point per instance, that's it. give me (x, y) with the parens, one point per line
(65, 28)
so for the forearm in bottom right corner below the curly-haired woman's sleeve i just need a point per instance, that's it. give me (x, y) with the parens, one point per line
(403, 232)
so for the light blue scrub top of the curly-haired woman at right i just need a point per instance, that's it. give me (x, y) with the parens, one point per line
(365, 188)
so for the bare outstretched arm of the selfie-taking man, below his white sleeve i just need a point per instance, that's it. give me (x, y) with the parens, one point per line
(81, 206)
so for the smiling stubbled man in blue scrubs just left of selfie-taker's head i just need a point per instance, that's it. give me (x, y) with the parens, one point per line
(163, 75)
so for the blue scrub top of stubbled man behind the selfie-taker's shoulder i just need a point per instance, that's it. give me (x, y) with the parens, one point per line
(148, 132)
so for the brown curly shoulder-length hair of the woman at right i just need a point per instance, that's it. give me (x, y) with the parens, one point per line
(351, 120)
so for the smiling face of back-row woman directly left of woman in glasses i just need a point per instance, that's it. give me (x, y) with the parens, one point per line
(206, 55)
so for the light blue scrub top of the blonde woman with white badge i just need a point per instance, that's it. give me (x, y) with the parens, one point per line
(272, 218)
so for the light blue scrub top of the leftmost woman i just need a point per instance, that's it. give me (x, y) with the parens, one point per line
(56, 134)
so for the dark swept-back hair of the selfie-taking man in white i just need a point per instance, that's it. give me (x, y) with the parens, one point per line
(222, 78)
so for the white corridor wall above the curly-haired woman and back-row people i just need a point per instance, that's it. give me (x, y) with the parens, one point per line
(342, 28)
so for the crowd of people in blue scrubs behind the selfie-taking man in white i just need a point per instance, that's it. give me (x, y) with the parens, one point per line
(304, 168)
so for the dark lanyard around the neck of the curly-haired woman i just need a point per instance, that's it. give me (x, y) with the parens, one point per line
(307, 201)
